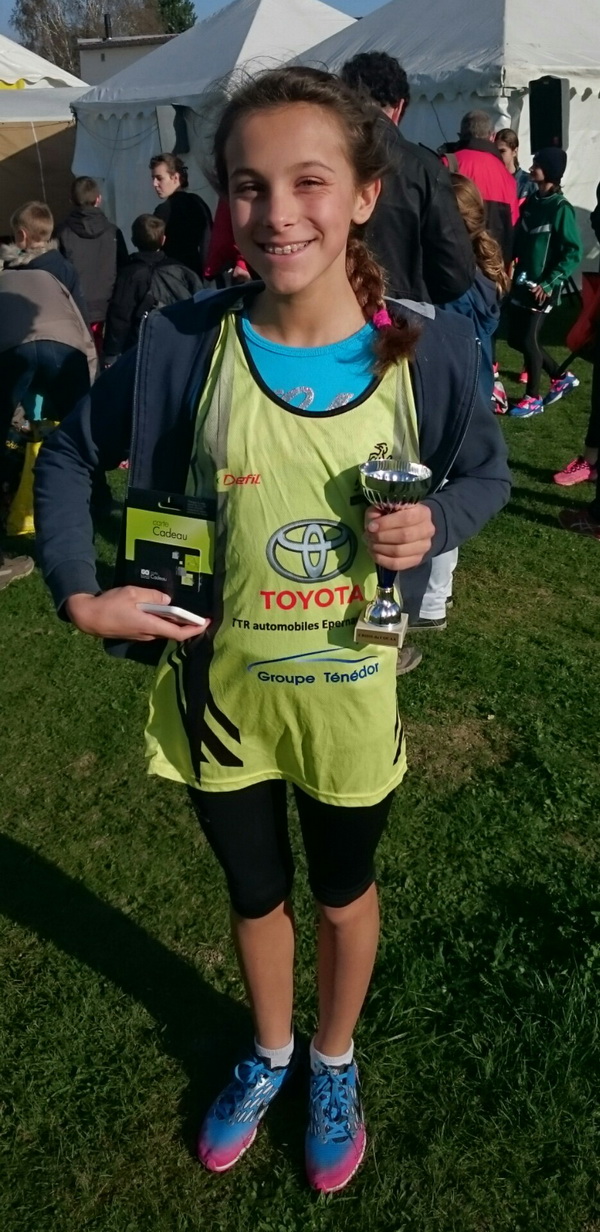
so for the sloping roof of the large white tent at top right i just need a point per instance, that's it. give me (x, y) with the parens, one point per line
(450, 47)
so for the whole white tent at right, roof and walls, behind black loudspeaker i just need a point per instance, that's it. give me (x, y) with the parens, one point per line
(461, 56)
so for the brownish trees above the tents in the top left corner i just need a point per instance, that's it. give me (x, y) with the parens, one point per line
(52, 28)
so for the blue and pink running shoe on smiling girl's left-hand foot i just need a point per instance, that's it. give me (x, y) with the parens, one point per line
(230, 1127)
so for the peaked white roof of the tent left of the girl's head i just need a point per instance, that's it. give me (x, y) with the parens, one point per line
(254, 33)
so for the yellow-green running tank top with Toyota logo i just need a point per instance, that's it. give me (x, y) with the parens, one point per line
(280, 691)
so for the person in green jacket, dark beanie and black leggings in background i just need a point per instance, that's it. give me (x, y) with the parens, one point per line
(548, 251)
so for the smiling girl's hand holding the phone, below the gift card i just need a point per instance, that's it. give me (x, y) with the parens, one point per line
(115, 614)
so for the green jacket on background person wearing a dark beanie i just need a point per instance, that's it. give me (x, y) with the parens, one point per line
(548, 246)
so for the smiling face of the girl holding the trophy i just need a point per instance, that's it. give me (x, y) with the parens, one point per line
(294, 197)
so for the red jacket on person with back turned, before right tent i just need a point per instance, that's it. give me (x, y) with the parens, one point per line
(481, 162)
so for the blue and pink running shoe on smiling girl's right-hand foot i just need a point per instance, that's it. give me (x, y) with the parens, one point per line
(336, 1138)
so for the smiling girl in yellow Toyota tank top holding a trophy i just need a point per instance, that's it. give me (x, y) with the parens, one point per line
(268, 399)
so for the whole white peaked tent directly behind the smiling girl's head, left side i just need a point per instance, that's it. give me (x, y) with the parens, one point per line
(130, 118)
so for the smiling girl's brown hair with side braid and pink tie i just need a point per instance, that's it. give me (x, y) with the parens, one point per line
(359, 120)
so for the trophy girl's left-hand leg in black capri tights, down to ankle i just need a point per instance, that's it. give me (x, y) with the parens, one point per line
(248, 833)
